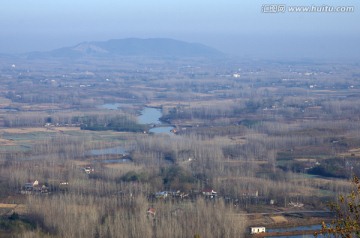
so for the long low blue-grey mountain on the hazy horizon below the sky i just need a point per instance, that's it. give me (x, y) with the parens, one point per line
(153, 47)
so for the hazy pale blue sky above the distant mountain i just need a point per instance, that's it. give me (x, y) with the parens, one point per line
(233, 26)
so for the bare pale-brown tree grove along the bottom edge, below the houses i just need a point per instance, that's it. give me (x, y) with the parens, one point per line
(128, 217)
